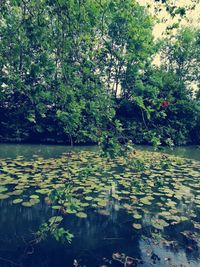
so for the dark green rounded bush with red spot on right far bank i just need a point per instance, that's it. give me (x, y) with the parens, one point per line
(146, 120)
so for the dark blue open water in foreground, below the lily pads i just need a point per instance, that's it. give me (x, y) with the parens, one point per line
(97, 238)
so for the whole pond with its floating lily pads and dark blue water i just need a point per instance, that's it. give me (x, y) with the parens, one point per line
(138, 210)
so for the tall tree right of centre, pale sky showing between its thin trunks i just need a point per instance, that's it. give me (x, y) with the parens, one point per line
(127, 45)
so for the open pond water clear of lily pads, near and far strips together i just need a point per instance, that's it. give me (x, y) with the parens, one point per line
(96, 238)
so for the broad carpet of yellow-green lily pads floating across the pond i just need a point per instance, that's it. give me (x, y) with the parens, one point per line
(154, 189)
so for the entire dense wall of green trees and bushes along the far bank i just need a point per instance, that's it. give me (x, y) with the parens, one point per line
(81, 72)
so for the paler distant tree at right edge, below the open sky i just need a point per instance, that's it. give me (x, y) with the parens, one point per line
(180, 54)
